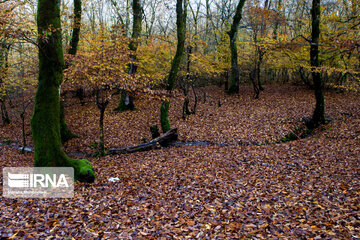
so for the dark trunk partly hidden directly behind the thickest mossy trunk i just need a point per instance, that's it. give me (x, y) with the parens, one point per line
(66, 134)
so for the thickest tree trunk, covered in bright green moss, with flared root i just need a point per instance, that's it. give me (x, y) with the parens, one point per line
(45, 122)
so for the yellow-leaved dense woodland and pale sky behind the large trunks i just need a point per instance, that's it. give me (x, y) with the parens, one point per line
(273, 42)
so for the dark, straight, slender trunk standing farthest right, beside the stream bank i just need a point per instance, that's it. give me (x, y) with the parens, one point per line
(319, 112)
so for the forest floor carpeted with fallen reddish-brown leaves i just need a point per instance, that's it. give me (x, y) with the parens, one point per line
(254, 189)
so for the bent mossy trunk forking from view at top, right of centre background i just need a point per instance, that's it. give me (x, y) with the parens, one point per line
(235, 76)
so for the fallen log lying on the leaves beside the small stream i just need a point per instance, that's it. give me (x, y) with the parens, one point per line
(163, 141)
